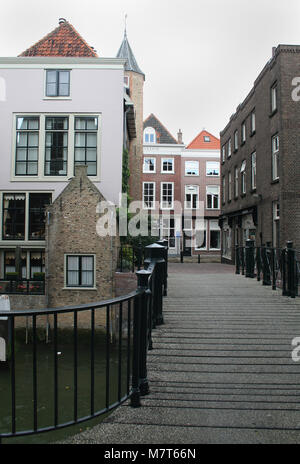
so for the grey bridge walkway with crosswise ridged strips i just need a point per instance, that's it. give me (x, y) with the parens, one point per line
(221, 369)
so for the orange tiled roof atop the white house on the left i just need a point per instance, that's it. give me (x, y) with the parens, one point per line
(62, 41)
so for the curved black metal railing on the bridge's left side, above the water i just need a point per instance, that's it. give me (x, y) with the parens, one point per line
(134, 316)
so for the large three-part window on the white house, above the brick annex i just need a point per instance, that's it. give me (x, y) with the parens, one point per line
(50, 145)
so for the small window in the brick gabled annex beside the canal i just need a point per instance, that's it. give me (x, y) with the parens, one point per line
(80, 271)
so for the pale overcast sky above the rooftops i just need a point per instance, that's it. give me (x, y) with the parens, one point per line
(200, 58)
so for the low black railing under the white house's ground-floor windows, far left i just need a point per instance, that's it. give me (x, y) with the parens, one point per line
(22, 287)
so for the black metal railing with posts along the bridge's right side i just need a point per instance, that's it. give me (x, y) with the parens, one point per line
(276, 267)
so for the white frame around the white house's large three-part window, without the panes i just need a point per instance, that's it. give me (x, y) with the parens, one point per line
(42, 150)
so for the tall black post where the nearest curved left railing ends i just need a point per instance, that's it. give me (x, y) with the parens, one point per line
(143, 277)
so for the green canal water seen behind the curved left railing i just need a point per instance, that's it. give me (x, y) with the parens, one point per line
(45, 385)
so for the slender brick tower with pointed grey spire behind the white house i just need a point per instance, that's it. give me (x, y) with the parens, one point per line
(134, 81)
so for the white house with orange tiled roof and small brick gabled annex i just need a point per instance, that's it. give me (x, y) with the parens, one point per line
(62, 112)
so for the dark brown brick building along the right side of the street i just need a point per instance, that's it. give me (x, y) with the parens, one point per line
(260, 170)
